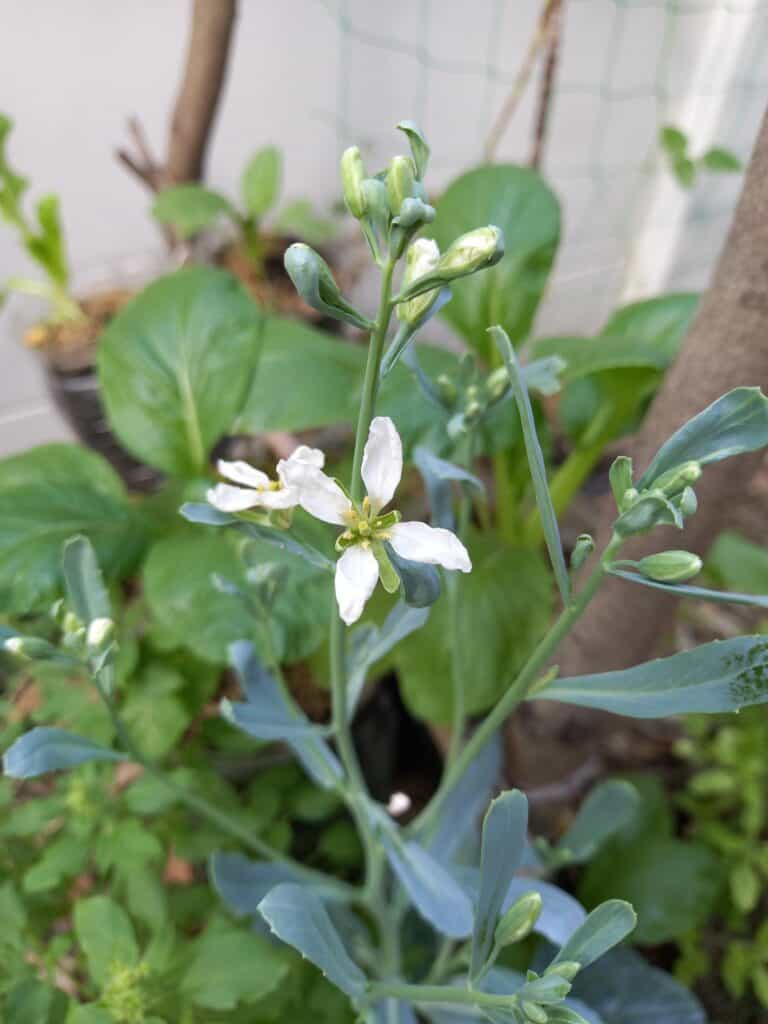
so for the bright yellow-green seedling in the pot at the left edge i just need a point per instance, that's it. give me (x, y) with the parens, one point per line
(41, 237)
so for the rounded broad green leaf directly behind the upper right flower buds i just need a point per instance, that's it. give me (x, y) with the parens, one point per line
(522, 204)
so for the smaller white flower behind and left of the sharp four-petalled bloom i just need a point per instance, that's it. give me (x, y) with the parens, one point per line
(257, 490)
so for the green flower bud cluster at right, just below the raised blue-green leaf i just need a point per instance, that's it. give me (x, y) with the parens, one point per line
(670, 501)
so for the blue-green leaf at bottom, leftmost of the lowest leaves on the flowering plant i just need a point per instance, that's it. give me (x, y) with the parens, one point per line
(297, 916)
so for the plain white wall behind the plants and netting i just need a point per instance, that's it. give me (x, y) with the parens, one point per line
(315, 75)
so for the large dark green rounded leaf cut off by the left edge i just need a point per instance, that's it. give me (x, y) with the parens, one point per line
(49, 495)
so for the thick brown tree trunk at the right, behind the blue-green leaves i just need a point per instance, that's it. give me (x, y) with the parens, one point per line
(727, 347)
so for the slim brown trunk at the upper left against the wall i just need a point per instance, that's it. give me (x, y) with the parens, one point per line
(201, 89)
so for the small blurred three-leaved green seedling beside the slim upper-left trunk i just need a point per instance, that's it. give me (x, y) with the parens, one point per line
(190, 209)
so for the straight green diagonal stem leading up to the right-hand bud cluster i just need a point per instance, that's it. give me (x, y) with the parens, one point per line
(521, 688)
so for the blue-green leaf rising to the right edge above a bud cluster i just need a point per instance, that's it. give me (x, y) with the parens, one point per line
(737, 423)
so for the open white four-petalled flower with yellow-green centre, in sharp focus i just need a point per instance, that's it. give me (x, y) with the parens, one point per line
(366, 529)
